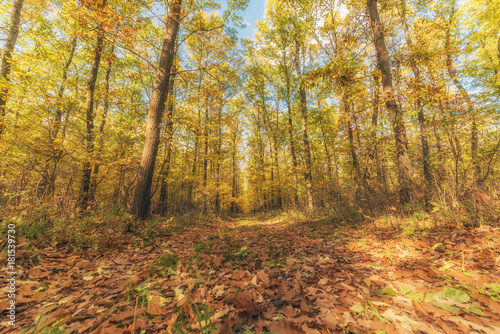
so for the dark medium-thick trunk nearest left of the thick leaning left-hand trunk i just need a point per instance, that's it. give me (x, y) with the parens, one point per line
(86, 195)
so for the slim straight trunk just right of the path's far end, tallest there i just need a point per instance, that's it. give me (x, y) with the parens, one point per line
(305, 136)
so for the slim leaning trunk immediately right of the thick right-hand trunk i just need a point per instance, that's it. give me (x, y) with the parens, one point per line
(419, 105)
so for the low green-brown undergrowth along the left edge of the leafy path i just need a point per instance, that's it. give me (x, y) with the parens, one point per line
(100, 229)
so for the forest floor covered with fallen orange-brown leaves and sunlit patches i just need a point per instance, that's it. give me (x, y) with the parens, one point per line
(262, 274)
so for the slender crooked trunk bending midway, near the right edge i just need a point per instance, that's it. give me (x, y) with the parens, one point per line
(470, 107)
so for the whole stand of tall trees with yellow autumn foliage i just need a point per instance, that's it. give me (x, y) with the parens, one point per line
(293, 118)
